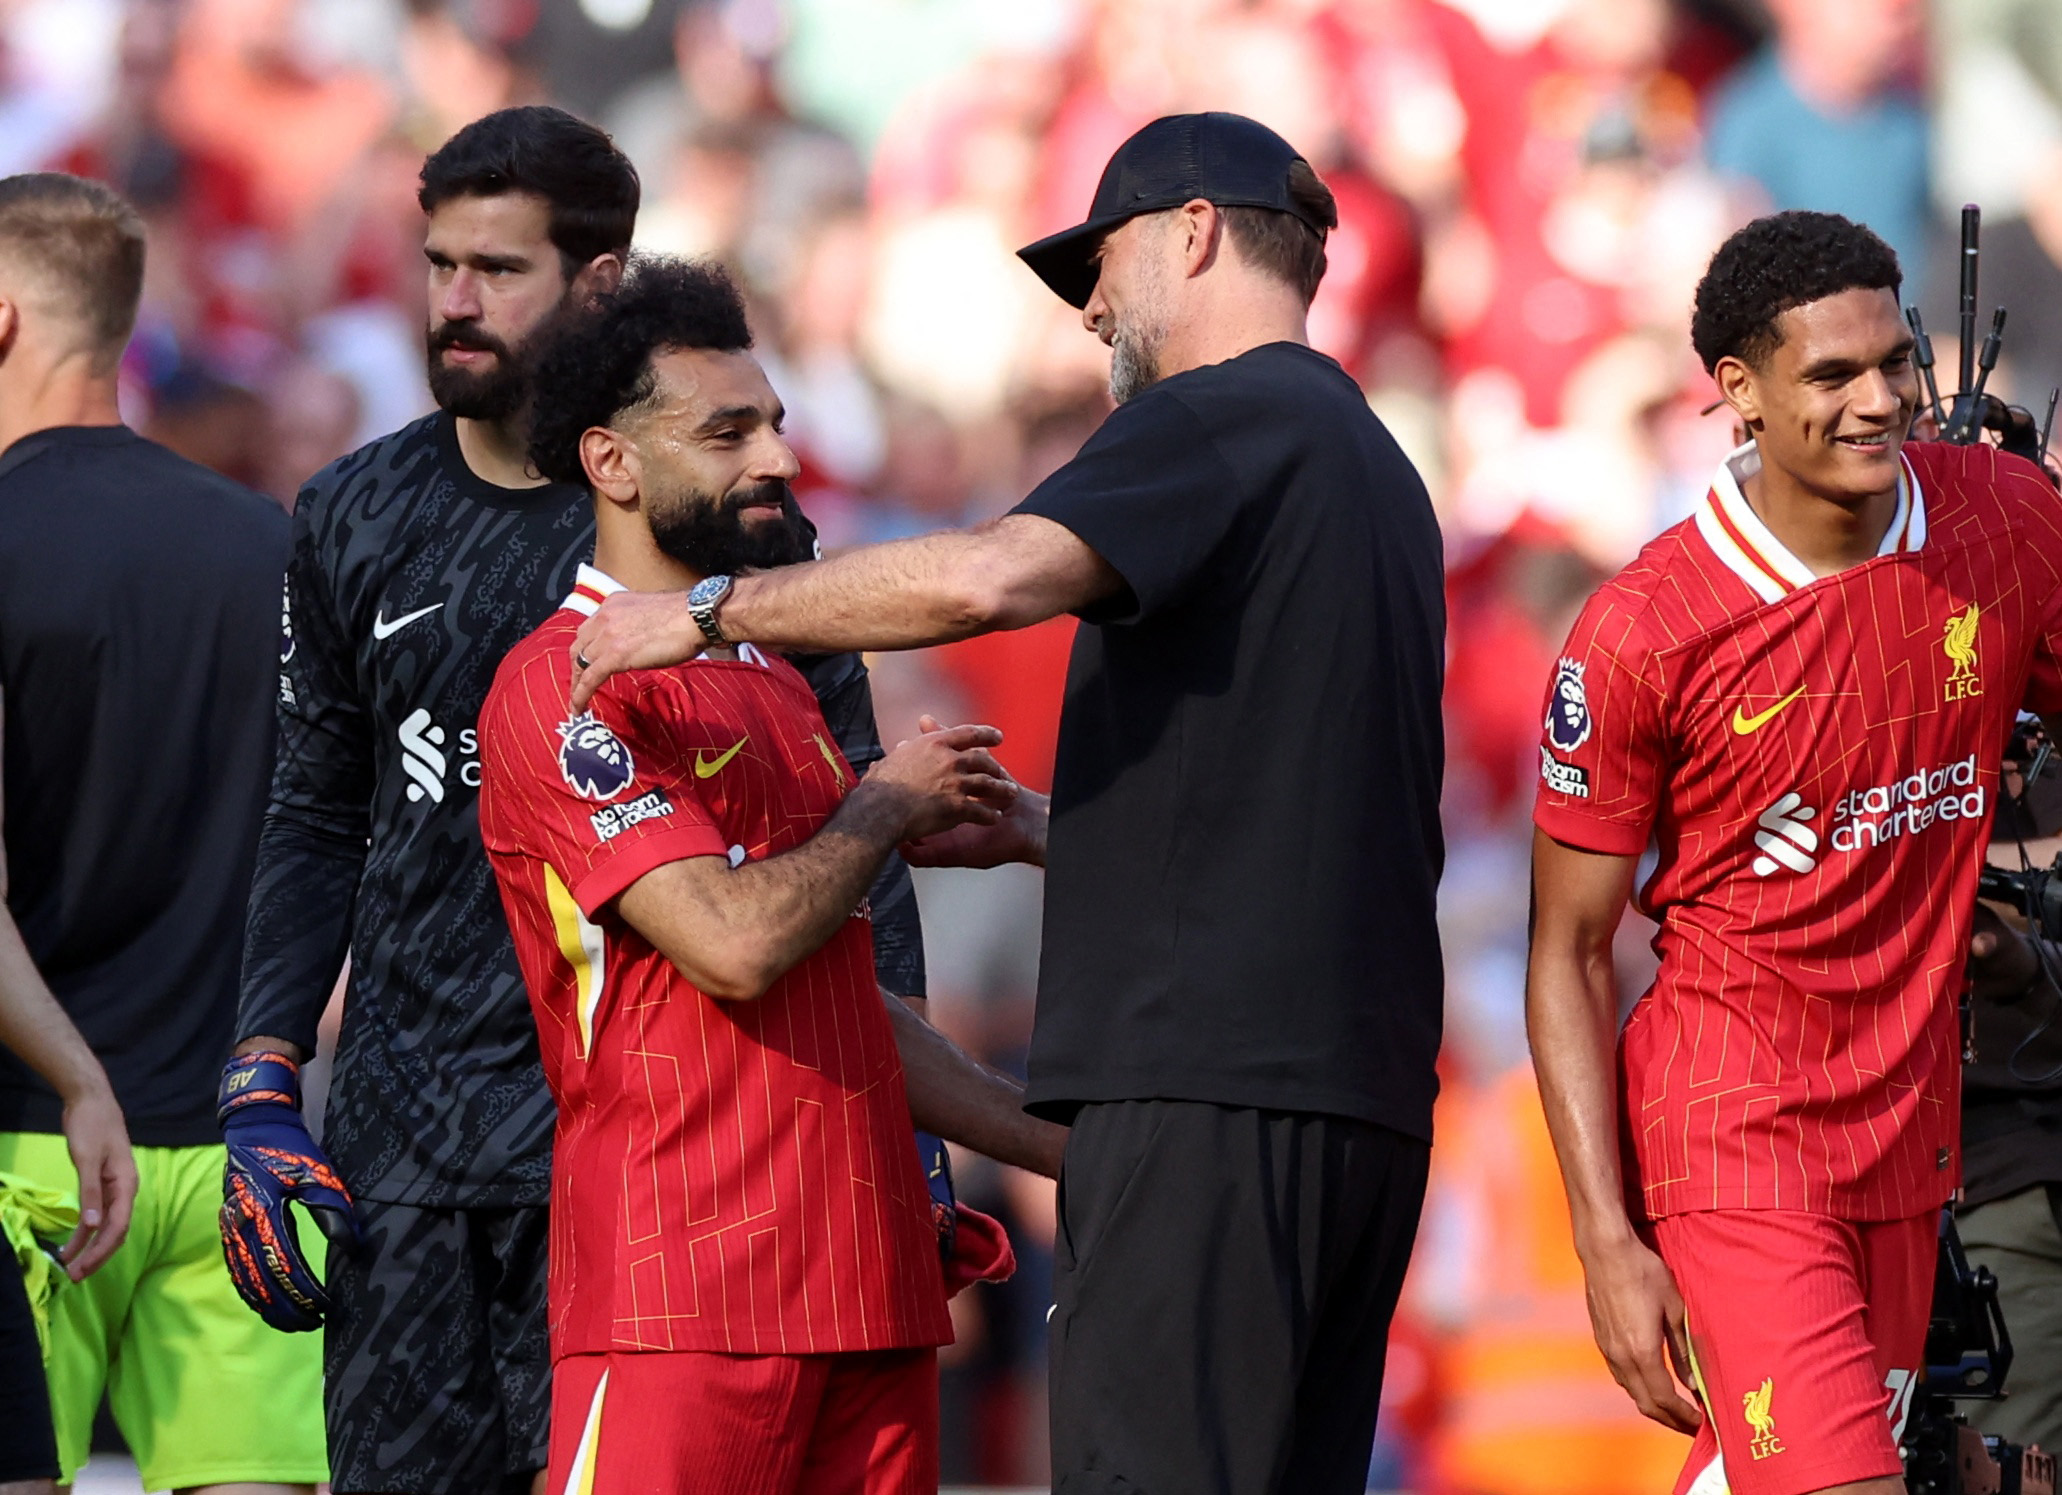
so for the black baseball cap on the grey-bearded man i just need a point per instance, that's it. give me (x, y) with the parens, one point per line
(1220, 158)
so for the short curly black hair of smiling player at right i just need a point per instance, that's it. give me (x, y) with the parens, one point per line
(1774, 265)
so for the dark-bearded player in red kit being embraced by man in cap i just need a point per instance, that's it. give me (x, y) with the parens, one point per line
(745, 1282)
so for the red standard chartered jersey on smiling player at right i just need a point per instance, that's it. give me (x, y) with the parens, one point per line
(1816, 762)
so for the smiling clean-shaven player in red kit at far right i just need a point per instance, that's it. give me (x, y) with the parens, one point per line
(1799, 698)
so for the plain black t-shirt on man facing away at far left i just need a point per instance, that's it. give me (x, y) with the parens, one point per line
(139, 630)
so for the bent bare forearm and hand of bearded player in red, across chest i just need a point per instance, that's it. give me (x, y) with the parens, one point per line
(733, 931)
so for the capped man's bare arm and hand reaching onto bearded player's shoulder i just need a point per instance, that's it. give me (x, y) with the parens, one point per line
(906, 595)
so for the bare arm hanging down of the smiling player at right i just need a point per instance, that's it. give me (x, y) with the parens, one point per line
(1572, 1018)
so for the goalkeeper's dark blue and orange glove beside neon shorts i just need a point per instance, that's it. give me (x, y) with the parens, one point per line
(273, 1162)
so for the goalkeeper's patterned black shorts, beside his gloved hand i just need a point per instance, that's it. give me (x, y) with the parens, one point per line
(436, 1368)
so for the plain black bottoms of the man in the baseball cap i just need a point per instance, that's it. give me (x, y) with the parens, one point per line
(1224, 1286)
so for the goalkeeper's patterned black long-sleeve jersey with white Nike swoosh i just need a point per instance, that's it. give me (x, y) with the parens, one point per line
(409, 583)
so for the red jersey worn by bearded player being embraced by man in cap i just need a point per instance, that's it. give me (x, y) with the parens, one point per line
(727, 1176)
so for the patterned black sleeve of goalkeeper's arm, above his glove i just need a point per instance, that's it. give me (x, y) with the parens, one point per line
(312, 844)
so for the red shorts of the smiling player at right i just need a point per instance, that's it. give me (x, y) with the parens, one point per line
(1809, 1335)
